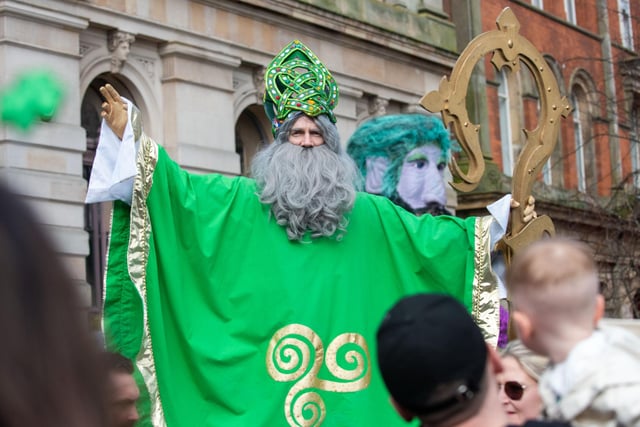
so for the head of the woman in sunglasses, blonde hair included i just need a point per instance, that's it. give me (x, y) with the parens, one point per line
(518, 382)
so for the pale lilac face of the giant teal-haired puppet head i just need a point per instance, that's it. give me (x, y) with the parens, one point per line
(421, 178)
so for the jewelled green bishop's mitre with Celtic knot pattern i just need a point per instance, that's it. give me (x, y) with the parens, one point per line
(296, 80)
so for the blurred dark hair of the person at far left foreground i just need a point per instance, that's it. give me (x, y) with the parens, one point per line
(49, 366)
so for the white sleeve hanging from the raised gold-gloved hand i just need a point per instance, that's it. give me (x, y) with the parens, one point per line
(114, 167)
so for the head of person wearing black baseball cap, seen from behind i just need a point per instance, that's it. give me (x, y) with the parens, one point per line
(436, 364)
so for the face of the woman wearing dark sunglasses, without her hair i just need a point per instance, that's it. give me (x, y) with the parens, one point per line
(529, 405)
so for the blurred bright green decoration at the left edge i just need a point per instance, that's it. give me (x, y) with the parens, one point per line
(34, 96)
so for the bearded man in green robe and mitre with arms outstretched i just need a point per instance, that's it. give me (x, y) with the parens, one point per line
(255, 301)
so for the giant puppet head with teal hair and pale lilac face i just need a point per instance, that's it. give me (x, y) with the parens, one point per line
(403, 157)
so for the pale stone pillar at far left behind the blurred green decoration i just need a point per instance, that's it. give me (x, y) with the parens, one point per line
(44, 164)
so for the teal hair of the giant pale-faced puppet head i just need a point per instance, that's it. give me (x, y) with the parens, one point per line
(393, 137)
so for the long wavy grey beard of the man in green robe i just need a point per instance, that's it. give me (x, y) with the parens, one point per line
(309, 189)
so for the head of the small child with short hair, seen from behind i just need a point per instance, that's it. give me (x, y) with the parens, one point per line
(554, 289)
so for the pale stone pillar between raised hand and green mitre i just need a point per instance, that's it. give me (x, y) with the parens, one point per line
(197, 89)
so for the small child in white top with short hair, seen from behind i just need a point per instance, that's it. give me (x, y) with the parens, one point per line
(594, 375)
